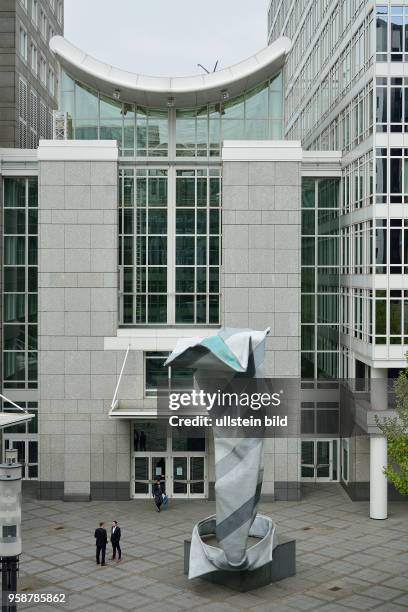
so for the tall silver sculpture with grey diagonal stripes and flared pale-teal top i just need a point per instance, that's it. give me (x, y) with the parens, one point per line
(238, 460)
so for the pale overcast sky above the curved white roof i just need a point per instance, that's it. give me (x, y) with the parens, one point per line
(167, 37)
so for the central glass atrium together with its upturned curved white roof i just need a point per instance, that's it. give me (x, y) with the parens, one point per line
(170, 134)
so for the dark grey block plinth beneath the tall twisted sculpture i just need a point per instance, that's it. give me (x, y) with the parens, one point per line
(283, 565)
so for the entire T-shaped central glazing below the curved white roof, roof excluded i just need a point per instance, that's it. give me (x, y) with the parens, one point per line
(170, 217)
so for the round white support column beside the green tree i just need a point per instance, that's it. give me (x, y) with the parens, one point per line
(378, 448)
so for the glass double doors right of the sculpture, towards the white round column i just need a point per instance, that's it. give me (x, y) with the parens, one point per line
(319, 460)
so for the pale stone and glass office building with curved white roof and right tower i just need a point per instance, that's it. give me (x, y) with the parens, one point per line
(255, 197)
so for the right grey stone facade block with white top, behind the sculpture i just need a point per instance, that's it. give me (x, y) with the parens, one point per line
(261, 280)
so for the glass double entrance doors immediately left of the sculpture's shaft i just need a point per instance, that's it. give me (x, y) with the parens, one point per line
(189, 476)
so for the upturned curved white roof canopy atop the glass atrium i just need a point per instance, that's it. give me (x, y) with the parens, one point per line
(156, 91)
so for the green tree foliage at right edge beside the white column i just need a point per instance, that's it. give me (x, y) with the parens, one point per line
(396, 431)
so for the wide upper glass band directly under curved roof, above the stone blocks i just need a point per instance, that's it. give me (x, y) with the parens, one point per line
(199, 132)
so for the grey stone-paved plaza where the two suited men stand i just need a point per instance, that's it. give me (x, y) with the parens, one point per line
(345, 561)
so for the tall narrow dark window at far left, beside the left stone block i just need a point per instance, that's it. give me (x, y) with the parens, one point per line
(20, 274)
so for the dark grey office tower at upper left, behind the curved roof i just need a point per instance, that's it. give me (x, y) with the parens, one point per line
(28, 70)
